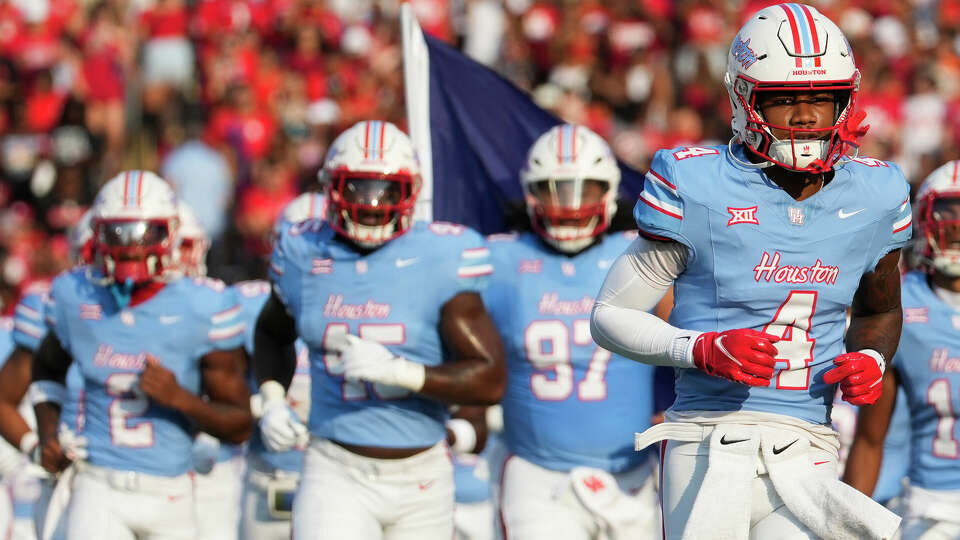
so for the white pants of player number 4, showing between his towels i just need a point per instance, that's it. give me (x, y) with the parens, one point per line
(684, 465)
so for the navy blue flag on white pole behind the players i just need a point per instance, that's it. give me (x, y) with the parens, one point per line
(480, 128)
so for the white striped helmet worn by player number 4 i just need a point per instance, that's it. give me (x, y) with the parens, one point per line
(792, 47)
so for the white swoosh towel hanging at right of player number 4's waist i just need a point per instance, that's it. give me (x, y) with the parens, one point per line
(829, 508)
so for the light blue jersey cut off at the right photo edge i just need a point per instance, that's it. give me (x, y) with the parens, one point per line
(928, 365)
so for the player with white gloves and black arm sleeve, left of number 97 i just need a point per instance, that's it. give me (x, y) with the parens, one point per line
(391, 313)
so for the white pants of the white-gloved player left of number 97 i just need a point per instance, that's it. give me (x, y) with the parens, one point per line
(344, 496)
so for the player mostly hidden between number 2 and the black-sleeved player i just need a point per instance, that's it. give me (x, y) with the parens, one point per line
(272, 477)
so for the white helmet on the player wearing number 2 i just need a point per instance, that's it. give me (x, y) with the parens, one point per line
(135, 224)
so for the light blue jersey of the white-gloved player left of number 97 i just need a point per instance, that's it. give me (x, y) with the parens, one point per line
(392, 295)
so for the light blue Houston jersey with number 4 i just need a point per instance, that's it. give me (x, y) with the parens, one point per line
(759, 259)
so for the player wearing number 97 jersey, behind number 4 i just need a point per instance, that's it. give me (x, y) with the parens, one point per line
(571, 471)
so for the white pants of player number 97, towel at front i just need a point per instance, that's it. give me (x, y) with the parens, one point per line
(538, 503)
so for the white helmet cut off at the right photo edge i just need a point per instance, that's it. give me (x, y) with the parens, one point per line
(937, 242)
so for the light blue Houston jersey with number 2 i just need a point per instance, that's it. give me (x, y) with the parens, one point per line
(185, 320)
